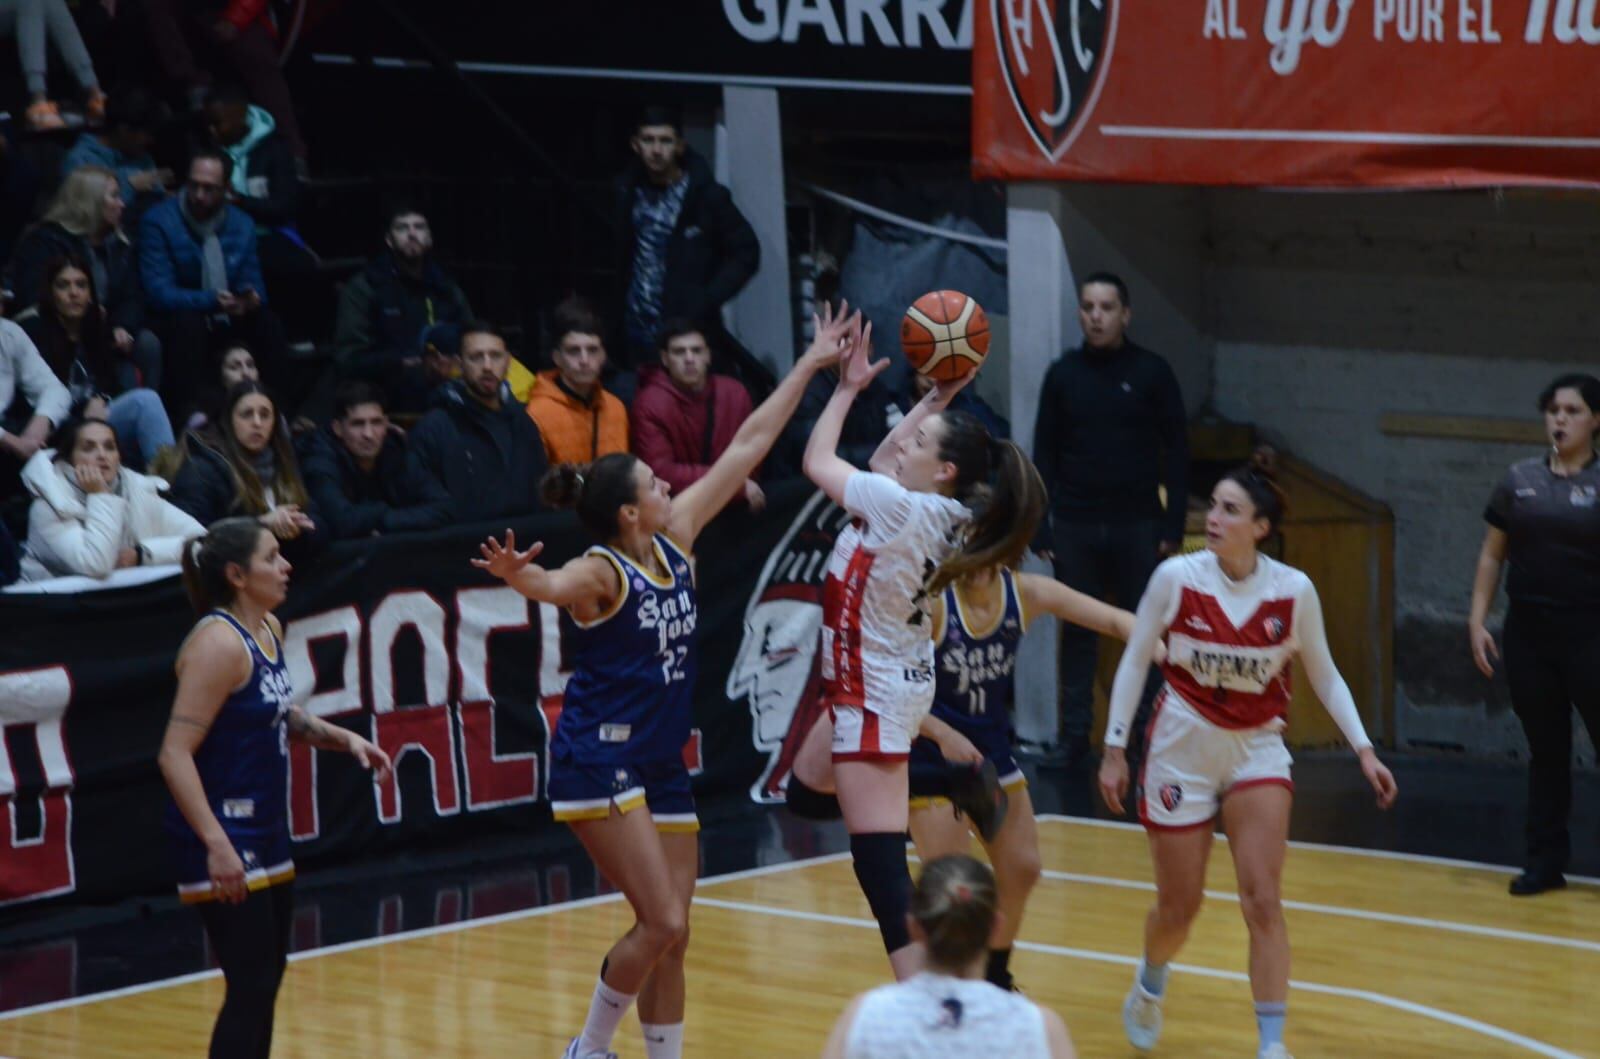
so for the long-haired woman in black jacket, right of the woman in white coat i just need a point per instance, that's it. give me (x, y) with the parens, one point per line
(249, 468)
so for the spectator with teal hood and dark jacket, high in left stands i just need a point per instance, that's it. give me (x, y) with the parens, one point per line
(263, 182)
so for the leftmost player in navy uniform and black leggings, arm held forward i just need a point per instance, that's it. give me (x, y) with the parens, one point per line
(225, 759)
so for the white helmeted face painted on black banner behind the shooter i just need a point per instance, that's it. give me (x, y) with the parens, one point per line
(778, 669)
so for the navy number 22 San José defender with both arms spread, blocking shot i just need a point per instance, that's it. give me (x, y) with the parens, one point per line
(628, 706)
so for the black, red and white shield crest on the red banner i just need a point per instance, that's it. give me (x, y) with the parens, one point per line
(1052, 57)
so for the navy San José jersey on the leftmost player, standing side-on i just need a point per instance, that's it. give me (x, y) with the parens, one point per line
(244, 769)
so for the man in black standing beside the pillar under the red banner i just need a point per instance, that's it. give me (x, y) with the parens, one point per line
(1111, 433)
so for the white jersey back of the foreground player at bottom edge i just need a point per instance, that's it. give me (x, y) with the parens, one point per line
(932, 1017)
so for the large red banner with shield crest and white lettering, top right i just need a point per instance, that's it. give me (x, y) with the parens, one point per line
(1313, 94)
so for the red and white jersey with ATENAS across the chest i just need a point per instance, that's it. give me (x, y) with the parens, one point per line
(1230, 644)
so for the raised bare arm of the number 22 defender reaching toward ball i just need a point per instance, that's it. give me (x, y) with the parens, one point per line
(726, 479)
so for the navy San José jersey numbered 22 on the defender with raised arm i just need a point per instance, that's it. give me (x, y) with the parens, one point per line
(631, 693)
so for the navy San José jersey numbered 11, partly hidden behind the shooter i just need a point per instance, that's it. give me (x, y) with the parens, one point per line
(974, 669)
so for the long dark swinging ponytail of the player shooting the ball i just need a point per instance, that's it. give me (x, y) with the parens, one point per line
(1002, 487)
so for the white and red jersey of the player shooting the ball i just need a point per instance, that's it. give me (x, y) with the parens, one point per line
(878, 652)
